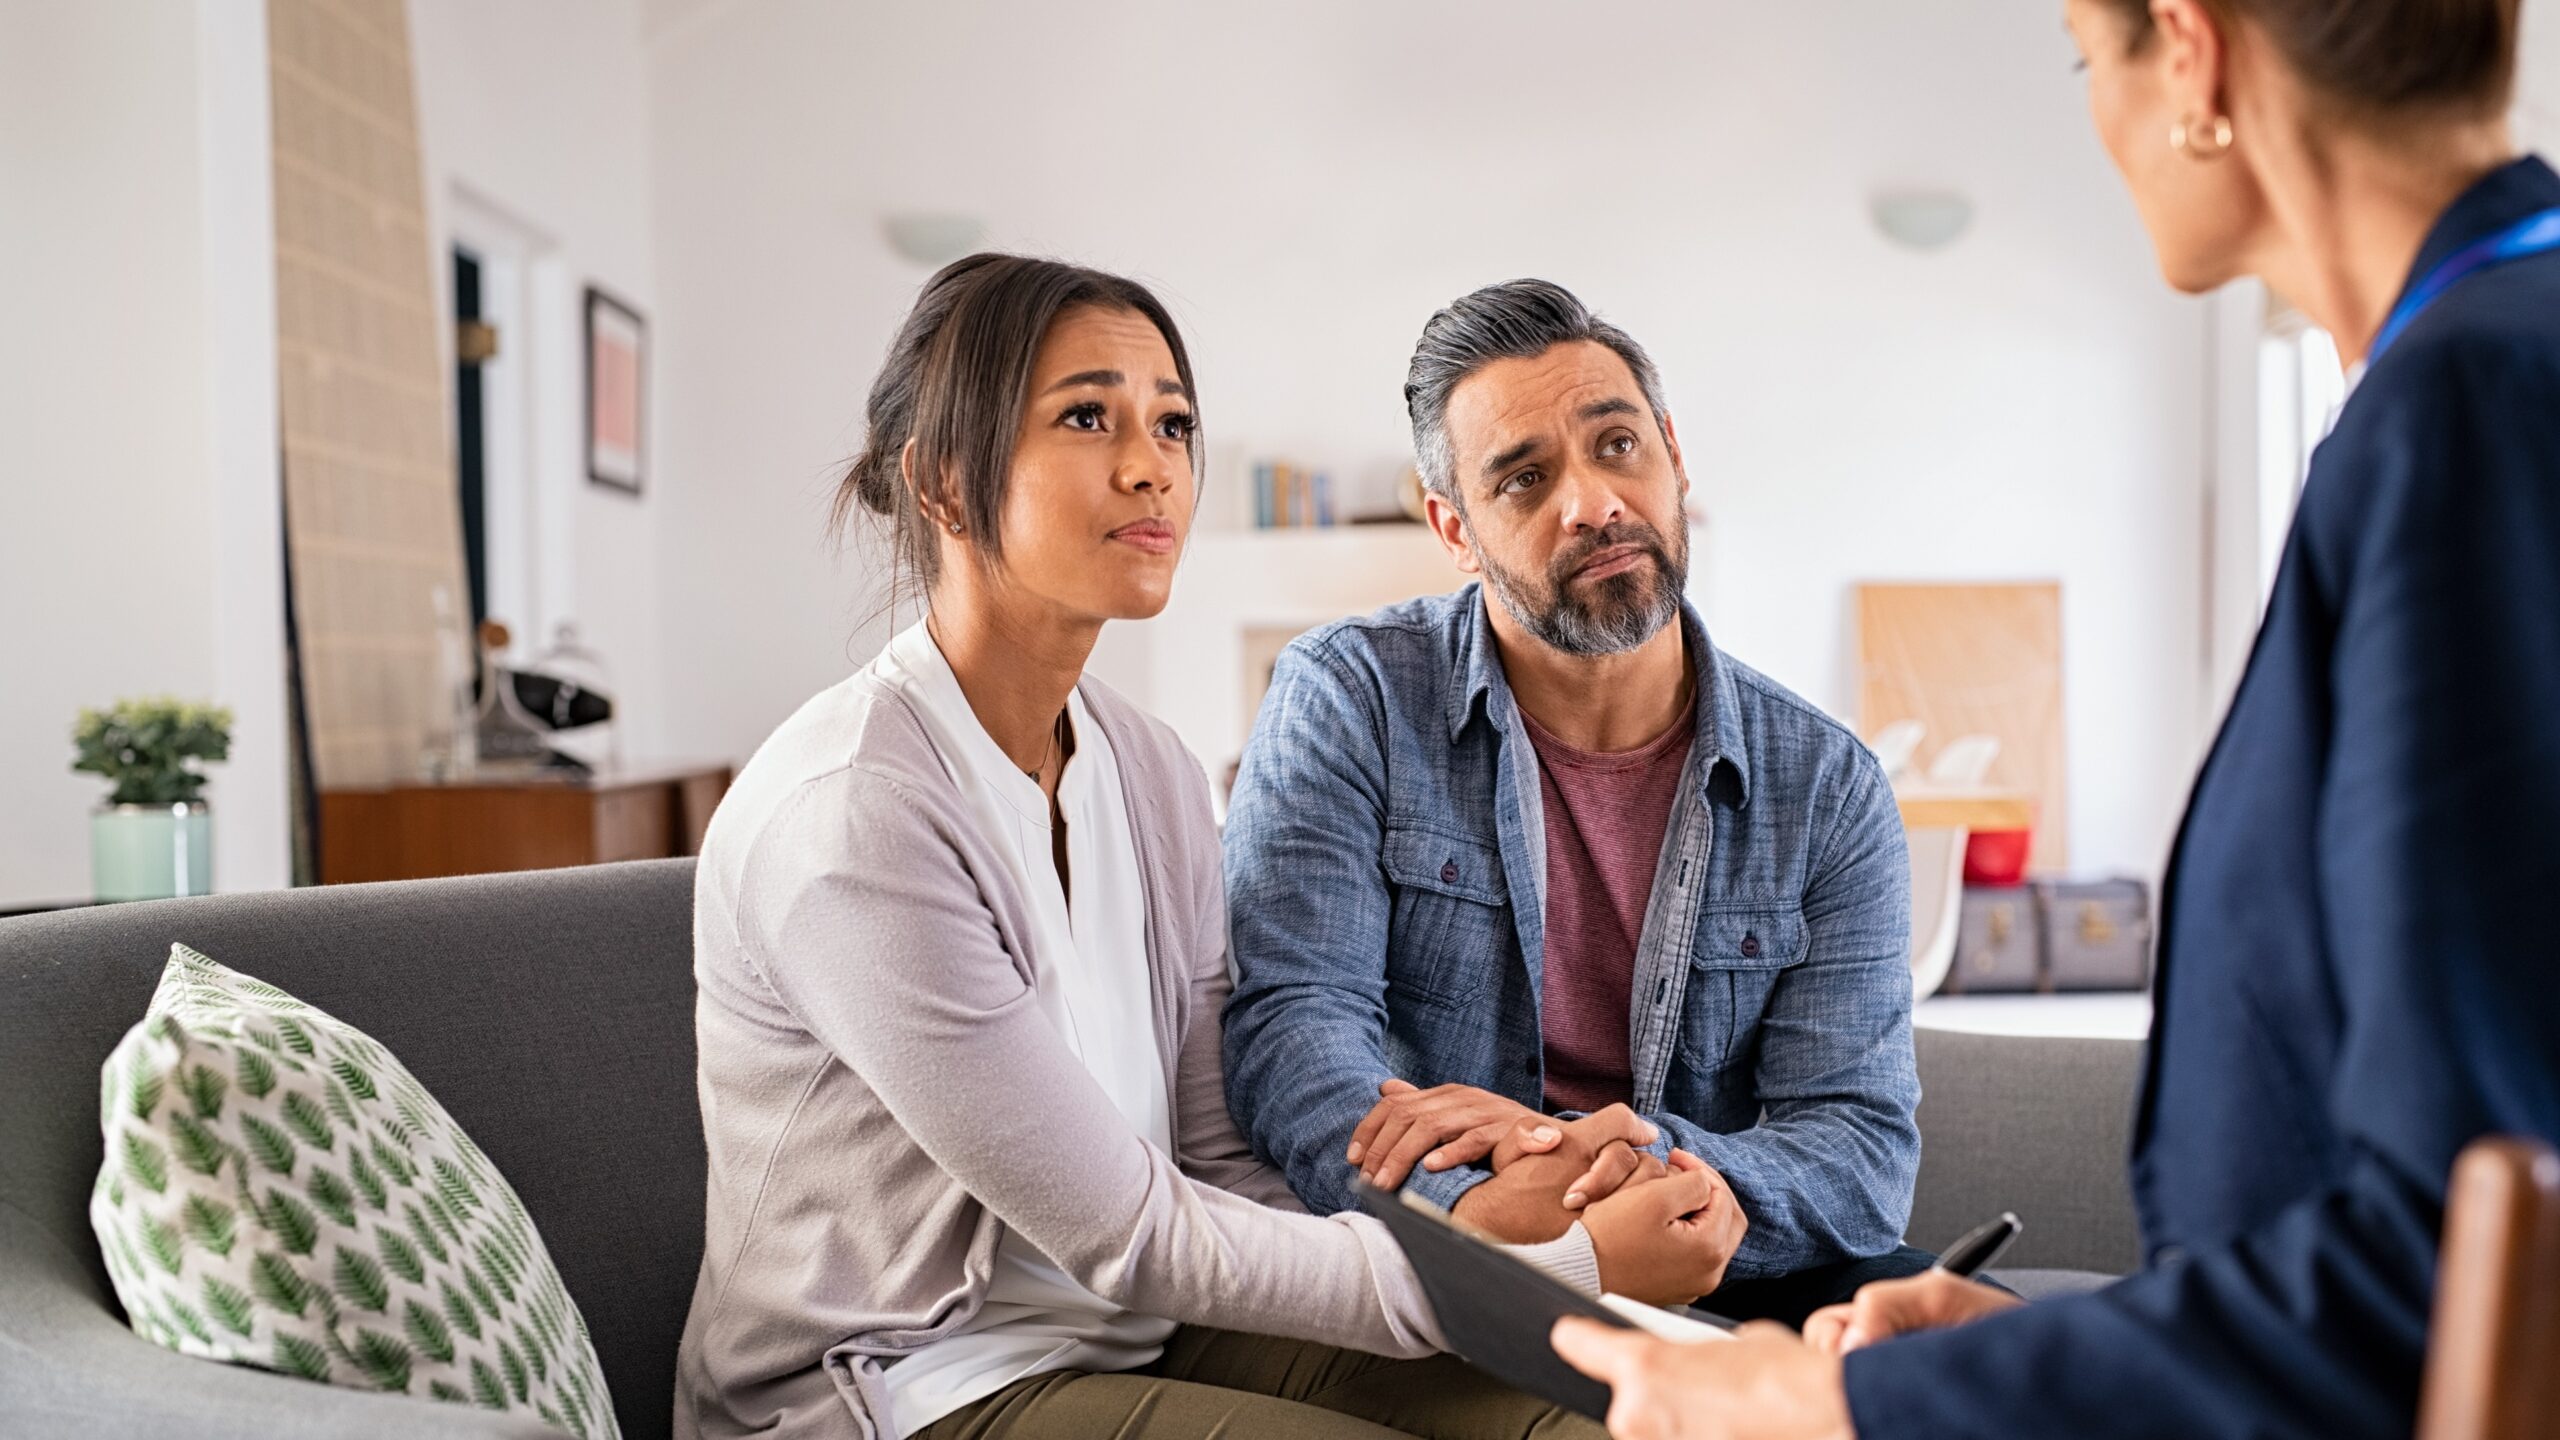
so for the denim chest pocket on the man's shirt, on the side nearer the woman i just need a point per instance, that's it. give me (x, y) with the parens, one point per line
(1450, 916)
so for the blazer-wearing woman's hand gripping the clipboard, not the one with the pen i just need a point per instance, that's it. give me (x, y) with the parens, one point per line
(1763, 1385)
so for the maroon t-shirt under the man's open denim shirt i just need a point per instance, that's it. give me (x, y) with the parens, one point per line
(1604, 834)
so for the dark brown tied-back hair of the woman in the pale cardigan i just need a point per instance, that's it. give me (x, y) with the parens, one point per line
(956, 380)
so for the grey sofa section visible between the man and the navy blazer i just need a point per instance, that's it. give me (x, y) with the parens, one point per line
(2039, 1126)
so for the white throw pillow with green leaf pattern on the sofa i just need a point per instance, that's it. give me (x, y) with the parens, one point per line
(280, 1193)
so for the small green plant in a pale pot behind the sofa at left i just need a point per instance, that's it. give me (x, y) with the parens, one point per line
(152, 837)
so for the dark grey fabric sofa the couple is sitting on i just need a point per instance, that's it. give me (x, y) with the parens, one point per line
(554, 1016)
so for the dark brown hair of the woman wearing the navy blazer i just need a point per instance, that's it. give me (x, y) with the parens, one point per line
(2382, 55)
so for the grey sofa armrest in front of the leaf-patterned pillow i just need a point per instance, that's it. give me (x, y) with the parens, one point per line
(70, 1367)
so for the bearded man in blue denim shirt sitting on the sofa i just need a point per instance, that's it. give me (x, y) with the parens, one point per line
(1535, 893)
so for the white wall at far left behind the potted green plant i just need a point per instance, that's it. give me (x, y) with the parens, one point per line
(140, 450)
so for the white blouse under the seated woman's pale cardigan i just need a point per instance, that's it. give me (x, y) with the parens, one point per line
(1089, 957)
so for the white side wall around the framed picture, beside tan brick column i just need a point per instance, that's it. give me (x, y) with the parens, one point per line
(539, 117)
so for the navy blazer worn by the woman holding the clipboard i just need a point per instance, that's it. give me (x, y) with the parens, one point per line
(2362, 931)
